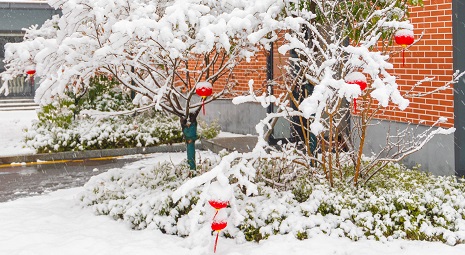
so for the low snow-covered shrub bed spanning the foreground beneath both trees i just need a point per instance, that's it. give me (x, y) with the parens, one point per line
(399, 203)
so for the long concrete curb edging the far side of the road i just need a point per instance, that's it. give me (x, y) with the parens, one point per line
(75, 155)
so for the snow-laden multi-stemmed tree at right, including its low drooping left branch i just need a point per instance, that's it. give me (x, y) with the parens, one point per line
(332, 46)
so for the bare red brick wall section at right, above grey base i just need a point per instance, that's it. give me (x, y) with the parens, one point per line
(430, 57)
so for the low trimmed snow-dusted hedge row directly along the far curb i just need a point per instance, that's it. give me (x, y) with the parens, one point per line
(116, 132)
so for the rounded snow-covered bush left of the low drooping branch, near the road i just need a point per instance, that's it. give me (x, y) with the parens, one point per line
(141, 196)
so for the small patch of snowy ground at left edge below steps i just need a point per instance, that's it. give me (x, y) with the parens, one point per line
(12, 124)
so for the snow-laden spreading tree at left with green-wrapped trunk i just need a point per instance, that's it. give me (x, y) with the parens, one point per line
(160, 49)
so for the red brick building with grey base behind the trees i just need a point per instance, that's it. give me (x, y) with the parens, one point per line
(441, 51)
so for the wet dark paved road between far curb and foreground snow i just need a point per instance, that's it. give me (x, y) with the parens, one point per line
(23, 181)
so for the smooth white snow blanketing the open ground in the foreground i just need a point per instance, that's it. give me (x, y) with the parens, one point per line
(55, 224)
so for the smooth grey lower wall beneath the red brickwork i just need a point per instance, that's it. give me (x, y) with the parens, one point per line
(436, 157)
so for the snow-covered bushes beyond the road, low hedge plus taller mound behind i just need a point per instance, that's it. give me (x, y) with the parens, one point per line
(61, 127)
